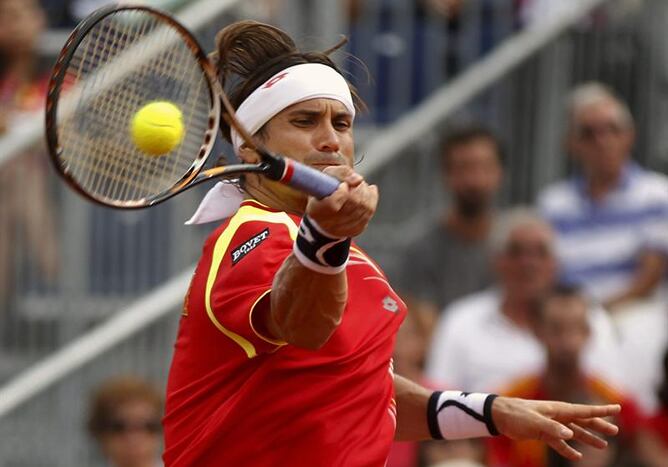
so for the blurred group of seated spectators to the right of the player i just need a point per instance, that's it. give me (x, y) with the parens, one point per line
(565, 299)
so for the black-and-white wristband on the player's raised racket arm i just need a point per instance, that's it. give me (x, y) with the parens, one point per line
(316, 250)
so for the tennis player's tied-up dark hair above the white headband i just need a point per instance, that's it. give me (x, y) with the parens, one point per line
(248, 53)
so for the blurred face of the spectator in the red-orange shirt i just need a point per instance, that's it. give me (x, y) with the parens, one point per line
(564, 330)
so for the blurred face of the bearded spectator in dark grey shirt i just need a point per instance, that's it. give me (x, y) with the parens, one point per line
(473, 173)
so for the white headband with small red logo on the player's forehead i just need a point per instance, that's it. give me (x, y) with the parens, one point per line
(290, 86)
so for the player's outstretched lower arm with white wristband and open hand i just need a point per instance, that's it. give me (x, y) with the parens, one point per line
(423, 414)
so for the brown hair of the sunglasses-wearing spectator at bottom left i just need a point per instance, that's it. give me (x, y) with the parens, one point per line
(112, 394)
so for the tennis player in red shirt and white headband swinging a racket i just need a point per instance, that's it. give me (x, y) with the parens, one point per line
(284, 351)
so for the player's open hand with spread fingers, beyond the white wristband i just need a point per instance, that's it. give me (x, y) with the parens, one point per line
(554, 423)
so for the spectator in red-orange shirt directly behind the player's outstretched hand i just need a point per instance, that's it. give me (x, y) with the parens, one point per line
(563, 329)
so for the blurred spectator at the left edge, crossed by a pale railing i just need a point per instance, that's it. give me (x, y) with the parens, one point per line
(26, 213)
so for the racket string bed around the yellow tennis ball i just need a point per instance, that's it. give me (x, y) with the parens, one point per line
(128, 59)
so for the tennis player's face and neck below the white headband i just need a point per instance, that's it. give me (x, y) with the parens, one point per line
(316, 132)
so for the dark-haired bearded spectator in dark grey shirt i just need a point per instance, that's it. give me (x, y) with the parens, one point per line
(450, 260)
